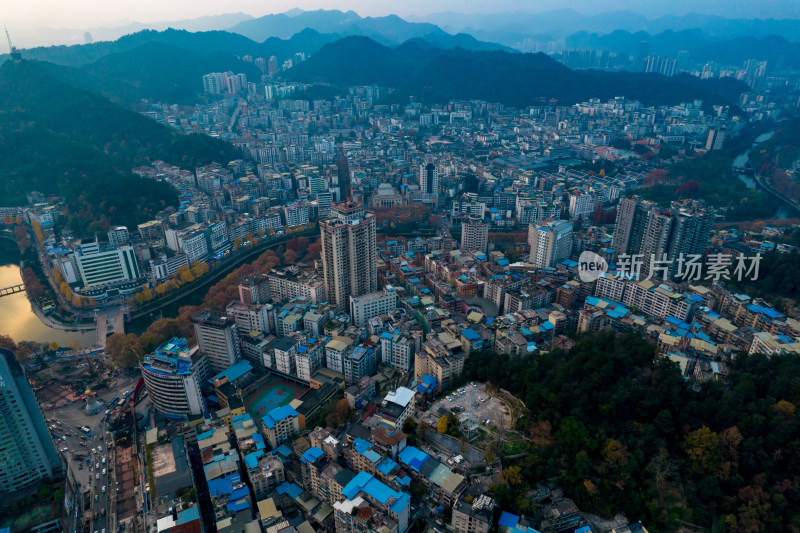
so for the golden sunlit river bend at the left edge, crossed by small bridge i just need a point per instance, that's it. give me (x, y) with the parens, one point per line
(17, 319)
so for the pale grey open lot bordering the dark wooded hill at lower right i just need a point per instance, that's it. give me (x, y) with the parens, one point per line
(486, 409)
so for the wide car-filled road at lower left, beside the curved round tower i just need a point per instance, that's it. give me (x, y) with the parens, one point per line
(91, 472)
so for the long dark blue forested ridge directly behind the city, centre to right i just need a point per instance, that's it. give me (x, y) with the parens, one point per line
(513, 79)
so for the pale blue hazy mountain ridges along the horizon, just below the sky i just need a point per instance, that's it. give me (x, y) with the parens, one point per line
(494, 31)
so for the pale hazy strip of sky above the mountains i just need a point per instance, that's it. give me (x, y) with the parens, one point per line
(92, 13)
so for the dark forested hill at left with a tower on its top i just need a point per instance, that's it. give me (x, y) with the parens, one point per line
(65, 141)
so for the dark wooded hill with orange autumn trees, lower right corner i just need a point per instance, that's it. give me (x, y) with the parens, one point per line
(622, 430)
